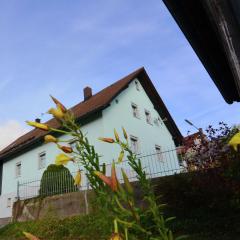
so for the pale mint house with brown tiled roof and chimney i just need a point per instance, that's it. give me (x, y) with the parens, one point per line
(132, 102)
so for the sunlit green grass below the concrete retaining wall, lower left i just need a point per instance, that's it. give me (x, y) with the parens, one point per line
(74, 228)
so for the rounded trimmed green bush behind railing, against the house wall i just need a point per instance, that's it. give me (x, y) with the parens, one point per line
(56, 180)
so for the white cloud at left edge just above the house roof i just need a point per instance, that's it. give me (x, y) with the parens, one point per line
(9, 131)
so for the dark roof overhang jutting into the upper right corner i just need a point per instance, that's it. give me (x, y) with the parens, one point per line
(212, 27)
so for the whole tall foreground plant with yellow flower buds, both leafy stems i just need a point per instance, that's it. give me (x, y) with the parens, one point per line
(117, 199)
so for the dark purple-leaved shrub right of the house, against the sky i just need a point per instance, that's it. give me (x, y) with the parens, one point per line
(213, 149)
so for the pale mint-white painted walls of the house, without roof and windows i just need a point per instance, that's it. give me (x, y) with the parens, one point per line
(117, 115)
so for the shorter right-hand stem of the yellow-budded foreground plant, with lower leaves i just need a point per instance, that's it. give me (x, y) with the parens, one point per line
(129, 215)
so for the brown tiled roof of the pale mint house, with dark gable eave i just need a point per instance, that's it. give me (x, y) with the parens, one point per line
(96, 103)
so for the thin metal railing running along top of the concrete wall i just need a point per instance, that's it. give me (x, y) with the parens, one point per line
(155, 165)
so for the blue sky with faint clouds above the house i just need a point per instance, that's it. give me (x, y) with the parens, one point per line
(58, 47)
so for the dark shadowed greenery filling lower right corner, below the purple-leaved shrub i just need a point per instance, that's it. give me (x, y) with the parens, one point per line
(206, 204)
